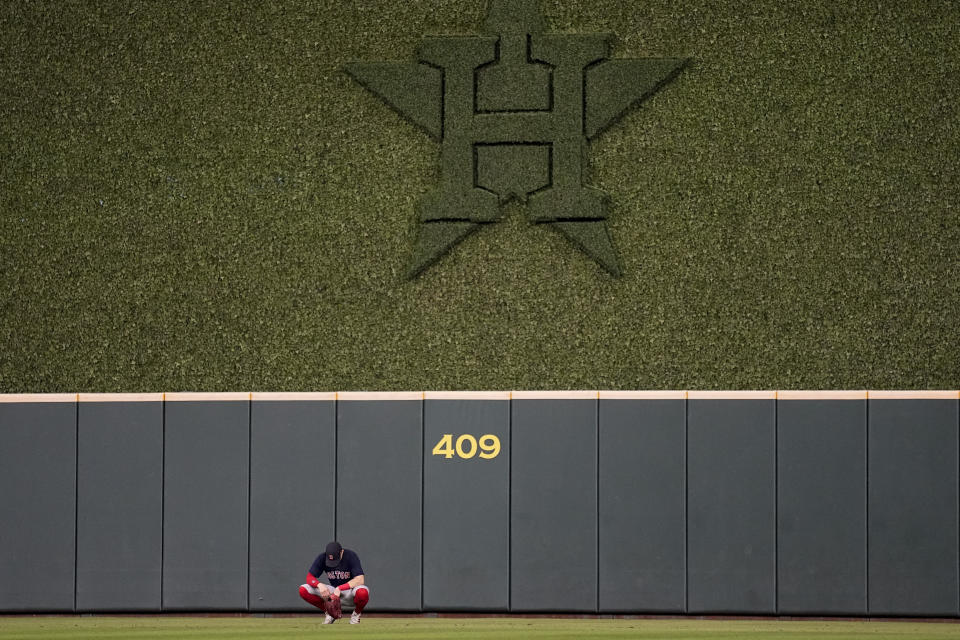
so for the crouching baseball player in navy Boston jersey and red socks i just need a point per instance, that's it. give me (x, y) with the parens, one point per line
(346, 587)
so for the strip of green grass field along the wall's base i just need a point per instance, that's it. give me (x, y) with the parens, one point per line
(83, 628)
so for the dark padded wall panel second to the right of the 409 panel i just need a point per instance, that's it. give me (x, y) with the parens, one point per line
(642, 505)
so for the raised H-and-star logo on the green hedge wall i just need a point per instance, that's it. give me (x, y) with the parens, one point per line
(514, 110)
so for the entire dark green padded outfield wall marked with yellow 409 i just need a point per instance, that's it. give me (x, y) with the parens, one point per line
(833, 503)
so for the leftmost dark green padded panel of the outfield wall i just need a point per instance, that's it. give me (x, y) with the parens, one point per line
(38, 463)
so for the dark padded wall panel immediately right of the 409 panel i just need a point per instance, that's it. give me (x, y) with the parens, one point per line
(553, 546)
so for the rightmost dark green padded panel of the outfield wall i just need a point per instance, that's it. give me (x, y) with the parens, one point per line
(913, 507)
